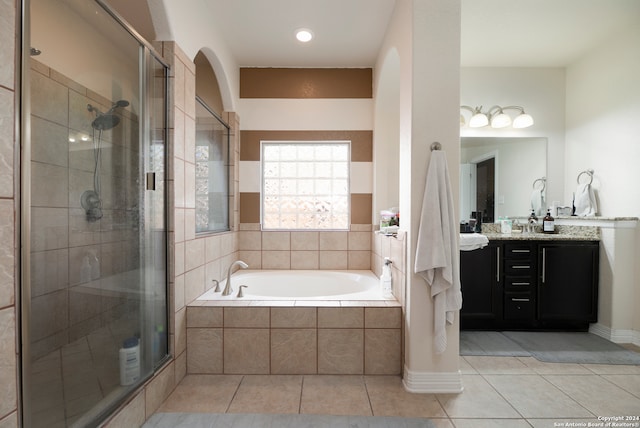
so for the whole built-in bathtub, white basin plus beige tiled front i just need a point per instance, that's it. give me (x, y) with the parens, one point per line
(293, 322)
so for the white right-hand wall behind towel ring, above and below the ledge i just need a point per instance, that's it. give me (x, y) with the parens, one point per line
(603, 133)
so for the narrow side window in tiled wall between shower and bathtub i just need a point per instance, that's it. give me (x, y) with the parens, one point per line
(212, 171)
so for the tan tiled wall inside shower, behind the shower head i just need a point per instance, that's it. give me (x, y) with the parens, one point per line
(67, 303)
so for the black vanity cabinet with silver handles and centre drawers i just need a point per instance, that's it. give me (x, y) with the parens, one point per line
(522, 285)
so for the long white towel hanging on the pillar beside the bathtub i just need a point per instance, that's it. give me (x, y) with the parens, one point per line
(437, 250)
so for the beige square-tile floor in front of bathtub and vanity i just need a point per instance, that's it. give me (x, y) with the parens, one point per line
(499, 392)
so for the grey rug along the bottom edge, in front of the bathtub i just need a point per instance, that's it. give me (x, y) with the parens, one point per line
(229, 420)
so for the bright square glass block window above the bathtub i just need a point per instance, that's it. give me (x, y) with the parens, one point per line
(305, 185)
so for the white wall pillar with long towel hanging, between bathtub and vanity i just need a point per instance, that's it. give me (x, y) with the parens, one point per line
(420, 31)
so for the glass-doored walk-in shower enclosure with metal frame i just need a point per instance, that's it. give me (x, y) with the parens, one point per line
(94, 275)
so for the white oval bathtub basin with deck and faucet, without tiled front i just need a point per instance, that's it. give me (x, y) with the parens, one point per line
(301, 285)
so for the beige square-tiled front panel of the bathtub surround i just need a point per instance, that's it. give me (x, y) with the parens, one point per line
(294, 337)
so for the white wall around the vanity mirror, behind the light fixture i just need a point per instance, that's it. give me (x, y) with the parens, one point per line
(541, 91)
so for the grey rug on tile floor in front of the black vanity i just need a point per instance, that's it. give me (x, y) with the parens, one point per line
(551, 347)
